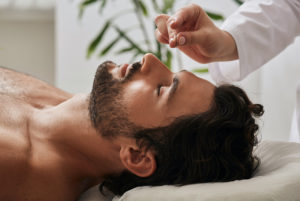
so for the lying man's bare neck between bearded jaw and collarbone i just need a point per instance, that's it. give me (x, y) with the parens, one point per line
(68, 129)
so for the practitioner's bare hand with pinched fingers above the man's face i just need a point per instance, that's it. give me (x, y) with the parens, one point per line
(192, 31)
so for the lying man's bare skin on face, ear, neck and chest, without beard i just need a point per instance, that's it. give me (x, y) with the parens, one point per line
(50, 151)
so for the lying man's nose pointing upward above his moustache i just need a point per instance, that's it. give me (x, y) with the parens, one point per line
(150, 61)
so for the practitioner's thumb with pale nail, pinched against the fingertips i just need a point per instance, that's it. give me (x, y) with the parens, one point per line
(191, 38)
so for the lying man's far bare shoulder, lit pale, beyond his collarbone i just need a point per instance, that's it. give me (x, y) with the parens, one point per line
(29, 89)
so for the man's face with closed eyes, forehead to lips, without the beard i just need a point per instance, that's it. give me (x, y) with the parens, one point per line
(152, 96)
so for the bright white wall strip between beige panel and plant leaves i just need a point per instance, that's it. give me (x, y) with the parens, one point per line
(74, 72)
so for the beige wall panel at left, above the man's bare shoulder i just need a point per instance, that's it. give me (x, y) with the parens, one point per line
(27, 45)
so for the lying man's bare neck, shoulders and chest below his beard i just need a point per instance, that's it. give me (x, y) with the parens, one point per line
(35, 163)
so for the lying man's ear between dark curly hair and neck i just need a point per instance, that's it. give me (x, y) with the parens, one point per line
(140, 162)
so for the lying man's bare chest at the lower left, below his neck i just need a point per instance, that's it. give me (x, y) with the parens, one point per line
(19, 180)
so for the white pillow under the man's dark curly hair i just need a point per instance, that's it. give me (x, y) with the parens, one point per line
(277, 179)
